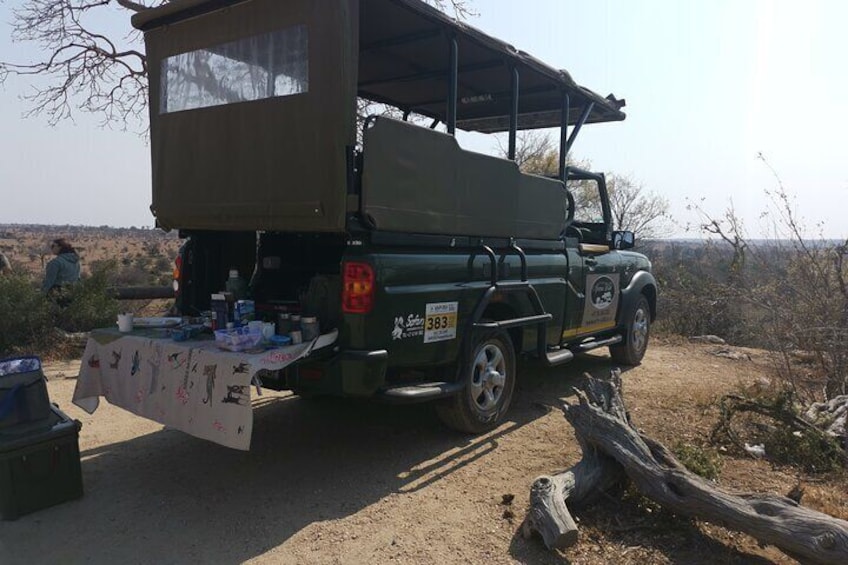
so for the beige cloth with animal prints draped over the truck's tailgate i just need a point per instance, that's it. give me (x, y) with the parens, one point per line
(190, 386)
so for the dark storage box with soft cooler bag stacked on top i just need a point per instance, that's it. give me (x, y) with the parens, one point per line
(39, 444)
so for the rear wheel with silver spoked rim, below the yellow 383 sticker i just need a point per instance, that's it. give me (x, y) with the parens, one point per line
(489, 374)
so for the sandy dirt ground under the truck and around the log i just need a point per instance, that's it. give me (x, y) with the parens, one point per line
(330, 481)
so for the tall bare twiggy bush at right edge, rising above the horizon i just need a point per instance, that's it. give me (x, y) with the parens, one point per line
(793, 290)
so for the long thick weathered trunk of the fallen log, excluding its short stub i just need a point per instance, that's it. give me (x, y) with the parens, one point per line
(600, 422)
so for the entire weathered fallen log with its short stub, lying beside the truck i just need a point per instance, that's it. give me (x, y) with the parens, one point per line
(611, 446)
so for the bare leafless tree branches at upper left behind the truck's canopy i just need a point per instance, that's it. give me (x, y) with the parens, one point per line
(85, 68)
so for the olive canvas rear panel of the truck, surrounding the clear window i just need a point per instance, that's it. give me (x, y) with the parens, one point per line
(275, 163)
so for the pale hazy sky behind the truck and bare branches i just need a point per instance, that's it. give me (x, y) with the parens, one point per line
(709, 85)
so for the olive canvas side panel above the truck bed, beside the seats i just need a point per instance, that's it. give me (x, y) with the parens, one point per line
(419, 180)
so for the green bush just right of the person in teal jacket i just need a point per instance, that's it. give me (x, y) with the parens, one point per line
(91, 305)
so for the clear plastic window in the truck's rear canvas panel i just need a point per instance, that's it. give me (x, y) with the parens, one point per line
(263, 66)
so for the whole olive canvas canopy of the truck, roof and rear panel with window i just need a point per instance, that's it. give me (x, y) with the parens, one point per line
(252, 102)
